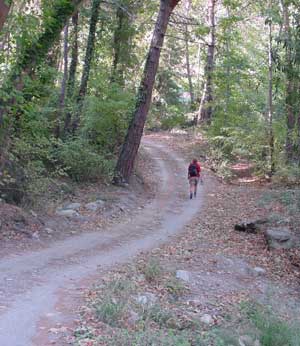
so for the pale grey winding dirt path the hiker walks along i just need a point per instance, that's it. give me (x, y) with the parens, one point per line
(32, 284)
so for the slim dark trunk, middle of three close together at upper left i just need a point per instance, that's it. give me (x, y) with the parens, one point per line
(72, 71)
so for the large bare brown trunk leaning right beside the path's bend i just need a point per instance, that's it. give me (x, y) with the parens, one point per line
(131, 145)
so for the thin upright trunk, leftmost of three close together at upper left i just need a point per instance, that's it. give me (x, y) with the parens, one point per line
(62, 95)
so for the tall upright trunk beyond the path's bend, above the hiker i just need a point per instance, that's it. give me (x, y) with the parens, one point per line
(205, 109)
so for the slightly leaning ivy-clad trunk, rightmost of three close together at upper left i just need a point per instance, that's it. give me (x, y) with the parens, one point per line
(87, 62)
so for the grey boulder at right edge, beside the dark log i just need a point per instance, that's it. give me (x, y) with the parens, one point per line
(279, 238)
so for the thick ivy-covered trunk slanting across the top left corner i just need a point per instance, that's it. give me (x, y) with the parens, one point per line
(35, 52)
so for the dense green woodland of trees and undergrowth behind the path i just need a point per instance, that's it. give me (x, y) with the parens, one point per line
(74, 75)
